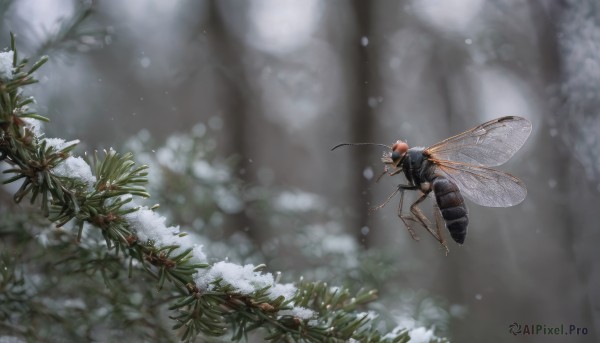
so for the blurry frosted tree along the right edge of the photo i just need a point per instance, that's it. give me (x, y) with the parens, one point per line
(575, 102)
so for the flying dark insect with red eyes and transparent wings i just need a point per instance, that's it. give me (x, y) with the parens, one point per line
(457, 166)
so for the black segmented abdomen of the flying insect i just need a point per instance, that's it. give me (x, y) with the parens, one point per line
(452, 205)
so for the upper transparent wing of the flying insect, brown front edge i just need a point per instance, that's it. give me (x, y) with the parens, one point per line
(489, 144)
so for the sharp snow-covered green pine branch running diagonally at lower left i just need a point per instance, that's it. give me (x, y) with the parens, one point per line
(212, 300)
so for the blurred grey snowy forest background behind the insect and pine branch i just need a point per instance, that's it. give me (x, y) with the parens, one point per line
(263, 90)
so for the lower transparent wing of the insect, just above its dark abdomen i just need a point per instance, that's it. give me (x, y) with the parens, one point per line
(483, 186)
